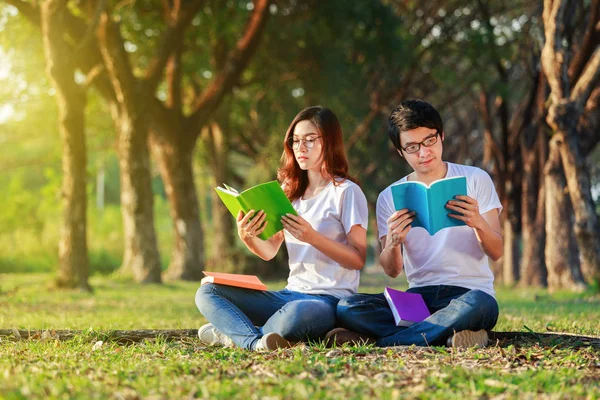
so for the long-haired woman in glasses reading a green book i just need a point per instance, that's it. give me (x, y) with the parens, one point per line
(326, 244)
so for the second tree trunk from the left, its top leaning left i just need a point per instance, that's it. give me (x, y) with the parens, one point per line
(130, 114)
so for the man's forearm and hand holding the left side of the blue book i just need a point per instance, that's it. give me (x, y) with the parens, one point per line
(398, 227)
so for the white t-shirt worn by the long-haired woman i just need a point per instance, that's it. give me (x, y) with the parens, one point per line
(332, 212)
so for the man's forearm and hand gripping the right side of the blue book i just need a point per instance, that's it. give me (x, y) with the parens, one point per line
(486, 226)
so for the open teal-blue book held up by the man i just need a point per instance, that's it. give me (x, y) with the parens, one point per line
(430, 201)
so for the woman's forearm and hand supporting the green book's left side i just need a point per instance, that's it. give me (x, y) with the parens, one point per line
(248, 230)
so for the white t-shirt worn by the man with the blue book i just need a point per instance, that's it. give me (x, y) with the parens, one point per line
(453, 256)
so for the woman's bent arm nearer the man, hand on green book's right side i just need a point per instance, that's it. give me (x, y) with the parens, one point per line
(351, 255)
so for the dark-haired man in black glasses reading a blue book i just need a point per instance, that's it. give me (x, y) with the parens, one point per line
(449, 269)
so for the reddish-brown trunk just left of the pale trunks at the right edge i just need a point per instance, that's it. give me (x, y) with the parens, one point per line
(533, 268)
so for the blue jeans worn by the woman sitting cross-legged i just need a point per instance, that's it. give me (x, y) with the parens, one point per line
(237, 312)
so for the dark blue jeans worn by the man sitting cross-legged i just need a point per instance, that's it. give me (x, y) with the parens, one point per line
(452, 309)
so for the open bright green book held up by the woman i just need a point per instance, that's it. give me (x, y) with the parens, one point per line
(268, 197)
